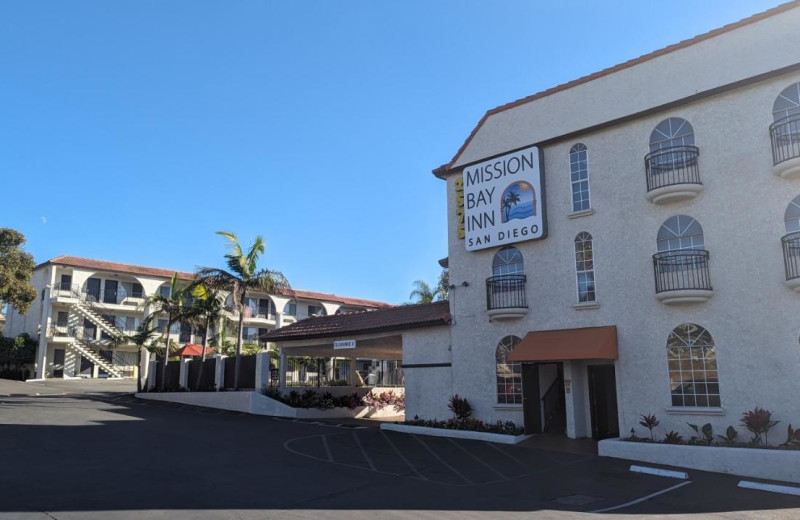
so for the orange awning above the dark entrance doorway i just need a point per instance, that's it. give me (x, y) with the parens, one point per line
(566, 344)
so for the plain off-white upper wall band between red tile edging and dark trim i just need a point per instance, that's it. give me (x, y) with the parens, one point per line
(761, 47)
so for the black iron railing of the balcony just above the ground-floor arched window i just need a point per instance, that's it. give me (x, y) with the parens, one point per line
(682, 270)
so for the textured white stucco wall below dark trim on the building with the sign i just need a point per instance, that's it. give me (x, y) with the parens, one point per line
(753, 317)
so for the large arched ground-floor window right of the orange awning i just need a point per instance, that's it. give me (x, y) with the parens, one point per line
(692, 359)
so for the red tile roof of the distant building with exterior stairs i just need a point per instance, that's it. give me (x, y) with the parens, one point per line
(116, 267)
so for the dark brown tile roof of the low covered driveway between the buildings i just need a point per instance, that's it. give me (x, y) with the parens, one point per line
(365, 322)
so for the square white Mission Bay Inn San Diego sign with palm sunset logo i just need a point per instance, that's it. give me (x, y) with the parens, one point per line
(504, 200)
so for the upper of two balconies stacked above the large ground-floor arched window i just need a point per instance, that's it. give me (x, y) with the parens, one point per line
(672, 174)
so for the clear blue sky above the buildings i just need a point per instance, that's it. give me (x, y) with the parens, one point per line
(132, 130)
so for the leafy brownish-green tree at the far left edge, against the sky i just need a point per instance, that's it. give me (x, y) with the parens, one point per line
(16, 271)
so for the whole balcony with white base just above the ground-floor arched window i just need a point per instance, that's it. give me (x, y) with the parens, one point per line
(682, 276)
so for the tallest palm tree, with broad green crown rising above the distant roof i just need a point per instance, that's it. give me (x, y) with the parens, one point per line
(242, 276)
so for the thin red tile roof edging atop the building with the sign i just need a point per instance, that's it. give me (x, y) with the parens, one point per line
(443, 169)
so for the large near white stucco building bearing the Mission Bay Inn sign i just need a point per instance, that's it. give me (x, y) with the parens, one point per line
(654, 268)
